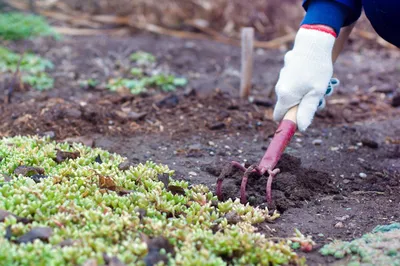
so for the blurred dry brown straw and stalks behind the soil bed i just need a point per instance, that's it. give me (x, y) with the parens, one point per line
(216, 19)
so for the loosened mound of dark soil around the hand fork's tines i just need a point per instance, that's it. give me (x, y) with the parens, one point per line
(290, 188)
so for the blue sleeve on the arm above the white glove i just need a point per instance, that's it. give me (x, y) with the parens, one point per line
(333, 13)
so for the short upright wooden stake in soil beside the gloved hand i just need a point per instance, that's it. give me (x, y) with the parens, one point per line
(247, 61)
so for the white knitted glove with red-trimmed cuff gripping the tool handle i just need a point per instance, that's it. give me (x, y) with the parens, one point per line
(305, 76)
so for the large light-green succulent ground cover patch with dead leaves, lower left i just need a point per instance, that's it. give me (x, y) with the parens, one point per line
(94, 208)
